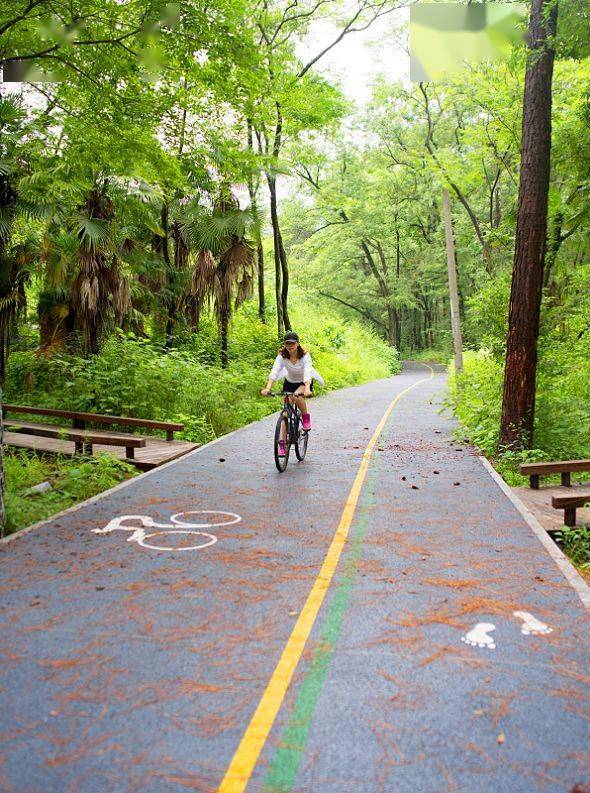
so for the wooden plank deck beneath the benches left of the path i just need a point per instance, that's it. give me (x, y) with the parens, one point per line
(156, 451)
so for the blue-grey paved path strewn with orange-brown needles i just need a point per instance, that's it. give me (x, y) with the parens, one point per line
(132, 669)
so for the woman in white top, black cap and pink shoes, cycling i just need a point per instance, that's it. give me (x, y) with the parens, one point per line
(295, 365)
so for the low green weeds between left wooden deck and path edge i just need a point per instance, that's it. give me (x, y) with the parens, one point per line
(71, 480)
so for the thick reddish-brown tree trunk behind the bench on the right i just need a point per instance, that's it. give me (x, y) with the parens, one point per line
(518, 406)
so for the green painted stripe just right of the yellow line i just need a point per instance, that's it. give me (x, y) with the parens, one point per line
(285, 764)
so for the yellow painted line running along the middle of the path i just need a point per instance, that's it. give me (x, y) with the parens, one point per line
(244, 760)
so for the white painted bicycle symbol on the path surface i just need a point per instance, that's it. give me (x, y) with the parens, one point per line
(178, 526)
